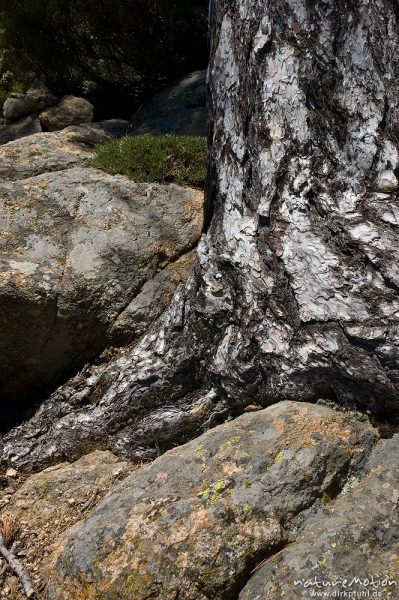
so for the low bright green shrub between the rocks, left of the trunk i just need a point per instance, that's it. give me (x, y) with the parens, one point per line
(160, 159)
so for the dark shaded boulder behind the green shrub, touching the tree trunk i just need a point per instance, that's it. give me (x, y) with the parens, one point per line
(178, 110)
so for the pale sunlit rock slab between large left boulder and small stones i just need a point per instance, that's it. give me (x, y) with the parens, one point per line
(56, 151)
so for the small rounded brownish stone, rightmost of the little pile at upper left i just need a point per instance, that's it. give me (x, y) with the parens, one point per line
(69, 111)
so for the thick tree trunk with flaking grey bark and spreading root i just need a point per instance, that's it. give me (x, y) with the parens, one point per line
(295, 293)
